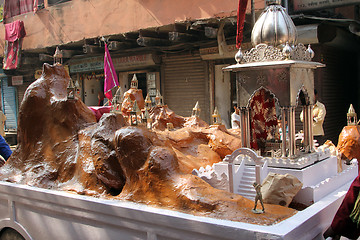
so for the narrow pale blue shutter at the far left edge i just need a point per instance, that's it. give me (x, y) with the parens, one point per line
(9, 104)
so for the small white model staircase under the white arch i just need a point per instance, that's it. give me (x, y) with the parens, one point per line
(248, 177)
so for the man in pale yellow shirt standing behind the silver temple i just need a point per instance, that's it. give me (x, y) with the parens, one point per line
(319, 112)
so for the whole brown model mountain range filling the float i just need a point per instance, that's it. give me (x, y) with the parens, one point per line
(62, 147)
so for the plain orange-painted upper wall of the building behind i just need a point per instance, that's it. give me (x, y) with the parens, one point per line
(80, 19)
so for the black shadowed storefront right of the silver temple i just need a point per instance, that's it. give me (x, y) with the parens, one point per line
(337, 86)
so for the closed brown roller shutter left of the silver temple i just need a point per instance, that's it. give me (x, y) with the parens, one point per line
(185, 83)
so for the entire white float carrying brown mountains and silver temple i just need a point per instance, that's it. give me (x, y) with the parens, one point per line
(143, 172)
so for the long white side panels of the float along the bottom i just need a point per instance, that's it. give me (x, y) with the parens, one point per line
(37, 213)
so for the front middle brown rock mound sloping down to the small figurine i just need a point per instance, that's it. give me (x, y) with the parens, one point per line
(153, 177)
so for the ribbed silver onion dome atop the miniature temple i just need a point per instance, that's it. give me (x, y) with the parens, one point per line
(274, 26)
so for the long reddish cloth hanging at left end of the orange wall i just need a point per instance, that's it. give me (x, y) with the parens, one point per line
(14, 32)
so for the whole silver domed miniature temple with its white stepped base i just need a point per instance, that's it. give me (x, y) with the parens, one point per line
(273, 78)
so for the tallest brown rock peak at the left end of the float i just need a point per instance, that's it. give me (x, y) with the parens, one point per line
(47, 125)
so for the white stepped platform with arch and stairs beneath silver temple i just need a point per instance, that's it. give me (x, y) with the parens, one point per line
(317, 171)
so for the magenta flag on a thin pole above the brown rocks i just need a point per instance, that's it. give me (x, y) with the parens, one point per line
(111, 79)
